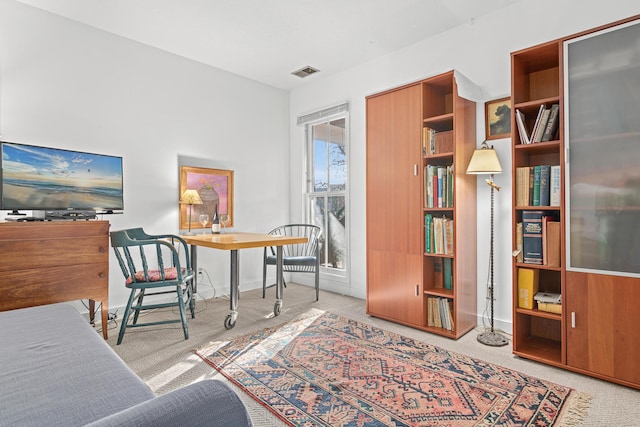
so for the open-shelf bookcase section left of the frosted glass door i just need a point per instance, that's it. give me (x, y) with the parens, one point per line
(536, 80)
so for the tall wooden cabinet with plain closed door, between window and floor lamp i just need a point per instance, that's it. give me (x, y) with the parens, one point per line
(403, 279)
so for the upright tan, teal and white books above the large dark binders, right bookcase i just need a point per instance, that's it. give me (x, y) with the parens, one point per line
(538, 185)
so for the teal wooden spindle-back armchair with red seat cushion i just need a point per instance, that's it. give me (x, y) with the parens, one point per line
(154, 265)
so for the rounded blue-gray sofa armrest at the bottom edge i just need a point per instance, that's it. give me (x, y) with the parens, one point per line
(205, 403)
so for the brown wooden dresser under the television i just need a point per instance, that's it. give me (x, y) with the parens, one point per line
(54, 261)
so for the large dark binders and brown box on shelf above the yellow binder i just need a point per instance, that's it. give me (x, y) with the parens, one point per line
(538, 239)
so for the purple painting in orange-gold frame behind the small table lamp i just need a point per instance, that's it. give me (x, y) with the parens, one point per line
(215, 187)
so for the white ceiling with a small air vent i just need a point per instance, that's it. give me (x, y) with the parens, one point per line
(266, 40)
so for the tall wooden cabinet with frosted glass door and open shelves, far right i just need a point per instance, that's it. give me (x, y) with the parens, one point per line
(597, 331)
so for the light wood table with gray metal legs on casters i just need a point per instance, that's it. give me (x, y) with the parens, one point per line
(232, 242)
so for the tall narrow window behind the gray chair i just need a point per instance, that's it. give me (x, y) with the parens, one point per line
(326, 192)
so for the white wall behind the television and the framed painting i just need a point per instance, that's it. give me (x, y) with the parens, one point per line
(70, 86)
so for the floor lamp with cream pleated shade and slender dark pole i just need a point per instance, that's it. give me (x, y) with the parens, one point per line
(485, 162)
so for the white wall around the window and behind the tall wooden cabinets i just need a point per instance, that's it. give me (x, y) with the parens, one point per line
(481, 51)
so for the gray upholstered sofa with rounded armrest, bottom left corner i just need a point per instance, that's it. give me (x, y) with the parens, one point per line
(55, 370)
